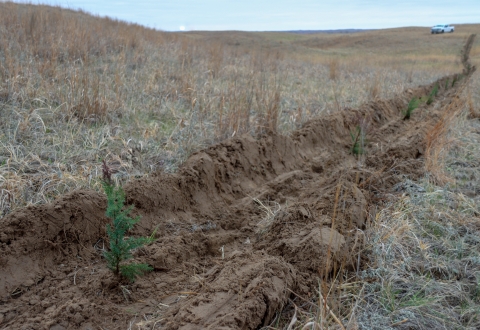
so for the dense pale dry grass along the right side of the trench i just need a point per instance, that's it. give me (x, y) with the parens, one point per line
(422, 246)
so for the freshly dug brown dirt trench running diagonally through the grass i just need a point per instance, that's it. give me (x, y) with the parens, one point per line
(242, 225)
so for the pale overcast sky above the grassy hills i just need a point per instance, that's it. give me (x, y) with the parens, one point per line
(280, 15)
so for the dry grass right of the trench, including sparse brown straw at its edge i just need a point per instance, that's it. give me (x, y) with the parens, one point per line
(422, 259)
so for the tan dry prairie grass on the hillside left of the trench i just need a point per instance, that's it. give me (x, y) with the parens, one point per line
(76, 89)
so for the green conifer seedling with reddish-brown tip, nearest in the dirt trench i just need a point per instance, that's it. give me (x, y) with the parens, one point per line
(121, 247)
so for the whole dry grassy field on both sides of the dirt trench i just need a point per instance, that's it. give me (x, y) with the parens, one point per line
(77, 89)
